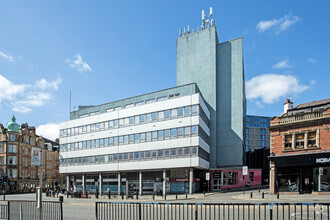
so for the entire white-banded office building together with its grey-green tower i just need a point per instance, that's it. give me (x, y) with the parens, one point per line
(167, 139)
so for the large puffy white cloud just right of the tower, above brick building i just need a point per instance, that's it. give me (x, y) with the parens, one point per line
(272, 87)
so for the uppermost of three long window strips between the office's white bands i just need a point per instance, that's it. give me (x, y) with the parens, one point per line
(133, 120)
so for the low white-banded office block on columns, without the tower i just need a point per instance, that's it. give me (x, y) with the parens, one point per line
(162, 136)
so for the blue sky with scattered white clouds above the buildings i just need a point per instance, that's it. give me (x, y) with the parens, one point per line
(103, 51)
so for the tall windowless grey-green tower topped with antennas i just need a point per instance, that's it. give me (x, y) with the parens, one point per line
(218, 70)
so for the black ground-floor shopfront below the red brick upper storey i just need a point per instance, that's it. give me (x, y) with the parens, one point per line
(302, 173)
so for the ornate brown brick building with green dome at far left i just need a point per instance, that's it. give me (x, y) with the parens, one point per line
(16, 143)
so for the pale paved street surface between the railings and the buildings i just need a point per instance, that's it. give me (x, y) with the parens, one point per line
(82, 209)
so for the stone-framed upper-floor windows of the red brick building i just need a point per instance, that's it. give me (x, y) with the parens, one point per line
(303, 140)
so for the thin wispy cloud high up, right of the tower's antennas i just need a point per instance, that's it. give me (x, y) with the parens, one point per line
(279, 25)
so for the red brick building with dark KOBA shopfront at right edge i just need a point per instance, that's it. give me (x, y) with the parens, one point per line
(300, 149)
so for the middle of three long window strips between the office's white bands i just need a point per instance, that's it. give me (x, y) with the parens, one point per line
(137, 138)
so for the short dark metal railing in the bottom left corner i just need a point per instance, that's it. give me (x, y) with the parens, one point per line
(27, 210)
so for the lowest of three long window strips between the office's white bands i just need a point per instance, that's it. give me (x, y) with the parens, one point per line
(161, 154)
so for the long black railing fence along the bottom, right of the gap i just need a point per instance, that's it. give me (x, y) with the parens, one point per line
(211, 211)
